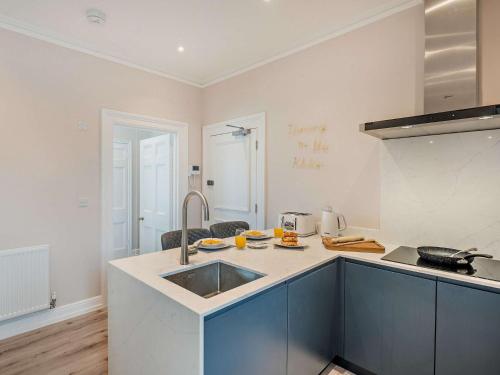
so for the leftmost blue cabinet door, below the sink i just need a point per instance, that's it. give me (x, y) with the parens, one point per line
(250, 338)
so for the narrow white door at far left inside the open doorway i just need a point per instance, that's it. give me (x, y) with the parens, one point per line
(122, 198)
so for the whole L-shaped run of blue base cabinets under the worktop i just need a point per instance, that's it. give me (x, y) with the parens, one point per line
(386, 322)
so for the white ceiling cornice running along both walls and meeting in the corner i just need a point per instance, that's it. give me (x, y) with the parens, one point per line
(48, 36)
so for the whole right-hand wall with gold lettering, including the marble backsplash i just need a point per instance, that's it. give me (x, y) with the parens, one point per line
(441, 193)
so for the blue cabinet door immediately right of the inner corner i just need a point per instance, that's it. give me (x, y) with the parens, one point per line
(389, 321)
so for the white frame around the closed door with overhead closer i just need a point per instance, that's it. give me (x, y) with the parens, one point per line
(260, 119)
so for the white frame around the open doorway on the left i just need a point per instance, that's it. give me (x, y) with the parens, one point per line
(110, 118)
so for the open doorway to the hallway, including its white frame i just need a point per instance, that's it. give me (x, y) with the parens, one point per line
(144, 175)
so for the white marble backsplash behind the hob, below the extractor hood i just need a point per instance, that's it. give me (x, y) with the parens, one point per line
(442, 190)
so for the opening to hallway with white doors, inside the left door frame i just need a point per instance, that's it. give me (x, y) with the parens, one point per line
(143, 189)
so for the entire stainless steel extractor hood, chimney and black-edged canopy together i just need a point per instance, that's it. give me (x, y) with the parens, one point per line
(451, 85)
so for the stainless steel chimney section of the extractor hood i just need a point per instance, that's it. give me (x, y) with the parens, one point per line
(450, 60)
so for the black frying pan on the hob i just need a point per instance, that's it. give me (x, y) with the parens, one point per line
(449, 257)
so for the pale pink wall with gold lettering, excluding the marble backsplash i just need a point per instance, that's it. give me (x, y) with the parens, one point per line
(369, 74)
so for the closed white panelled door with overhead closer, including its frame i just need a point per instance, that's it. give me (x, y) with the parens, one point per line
(233, 176)
